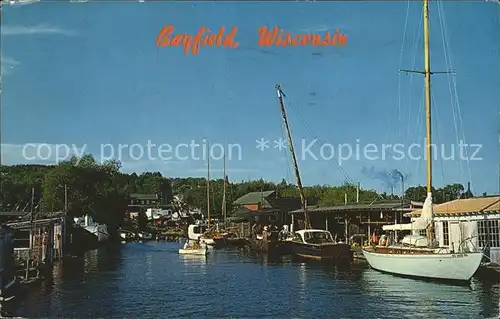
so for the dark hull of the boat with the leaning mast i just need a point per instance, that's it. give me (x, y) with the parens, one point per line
(334, 252)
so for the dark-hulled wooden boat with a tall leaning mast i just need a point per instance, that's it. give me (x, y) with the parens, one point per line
(311, 243)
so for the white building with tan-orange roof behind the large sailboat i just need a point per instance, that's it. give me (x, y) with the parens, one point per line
(461, 219)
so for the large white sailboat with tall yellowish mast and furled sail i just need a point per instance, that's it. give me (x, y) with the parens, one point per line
(421, 256)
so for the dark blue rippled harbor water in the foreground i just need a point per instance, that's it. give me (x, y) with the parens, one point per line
(151, 280)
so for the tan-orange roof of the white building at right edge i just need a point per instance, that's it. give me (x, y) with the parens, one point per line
(470, 205)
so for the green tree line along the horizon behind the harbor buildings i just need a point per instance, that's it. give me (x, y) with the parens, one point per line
(102, 190)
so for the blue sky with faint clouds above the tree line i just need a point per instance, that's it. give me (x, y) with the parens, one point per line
(87, 74)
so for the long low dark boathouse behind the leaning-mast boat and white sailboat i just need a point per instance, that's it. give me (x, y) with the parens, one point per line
(347, 220)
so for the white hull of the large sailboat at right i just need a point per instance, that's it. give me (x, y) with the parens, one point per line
(426, 265)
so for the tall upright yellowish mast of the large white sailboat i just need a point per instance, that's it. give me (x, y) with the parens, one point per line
(427, 70)
